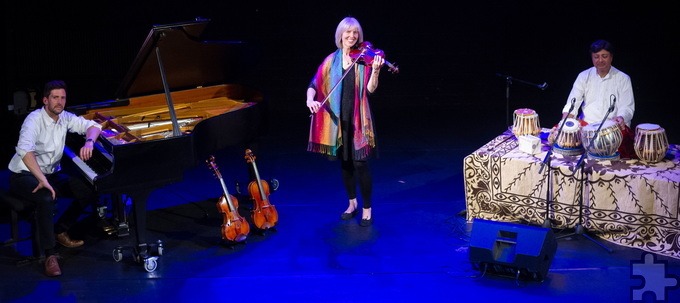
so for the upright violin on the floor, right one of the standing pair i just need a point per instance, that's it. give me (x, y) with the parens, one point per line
(264, 214)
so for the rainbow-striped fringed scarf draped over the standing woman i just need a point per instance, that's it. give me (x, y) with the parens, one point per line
(324, 130)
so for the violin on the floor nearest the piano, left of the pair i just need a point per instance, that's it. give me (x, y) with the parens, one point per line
(234, 227)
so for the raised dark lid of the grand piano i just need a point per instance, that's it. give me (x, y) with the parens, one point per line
(187, 61)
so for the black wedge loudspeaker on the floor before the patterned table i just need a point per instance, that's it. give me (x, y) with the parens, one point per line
(521, 251)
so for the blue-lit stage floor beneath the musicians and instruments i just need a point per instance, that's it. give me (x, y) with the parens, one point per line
(416, 250)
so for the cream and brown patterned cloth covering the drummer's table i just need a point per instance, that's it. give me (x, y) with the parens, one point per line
(628, 202)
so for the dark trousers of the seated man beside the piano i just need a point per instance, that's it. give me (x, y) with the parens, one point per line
(66, 186)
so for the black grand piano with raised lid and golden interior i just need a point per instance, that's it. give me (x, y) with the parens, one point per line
(178, 104)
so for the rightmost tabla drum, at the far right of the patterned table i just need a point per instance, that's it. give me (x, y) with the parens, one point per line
(651, 142)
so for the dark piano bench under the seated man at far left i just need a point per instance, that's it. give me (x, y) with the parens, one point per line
(14, 208)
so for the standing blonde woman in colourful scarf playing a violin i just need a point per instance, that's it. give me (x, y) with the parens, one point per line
(342, 126)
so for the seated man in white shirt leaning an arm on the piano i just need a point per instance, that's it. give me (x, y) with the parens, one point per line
(37, 175)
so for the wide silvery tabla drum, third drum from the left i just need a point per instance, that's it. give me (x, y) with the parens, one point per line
(606, 144)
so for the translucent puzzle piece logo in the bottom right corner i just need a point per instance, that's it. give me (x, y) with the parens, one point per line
(656, 281)
